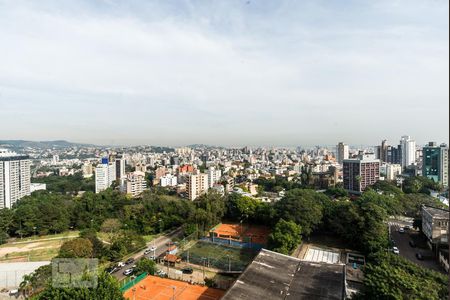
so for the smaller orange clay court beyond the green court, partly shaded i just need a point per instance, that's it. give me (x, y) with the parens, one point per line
(258, 234)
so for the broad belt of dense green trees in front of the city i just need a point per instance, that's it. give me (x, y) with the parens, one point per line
(361, 223)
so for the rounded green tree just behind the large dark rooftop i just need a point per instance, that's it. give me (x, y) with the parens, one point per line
(285, 237)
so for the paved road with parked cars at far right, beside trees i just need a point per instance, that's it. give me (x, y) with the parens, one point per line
(402, 242)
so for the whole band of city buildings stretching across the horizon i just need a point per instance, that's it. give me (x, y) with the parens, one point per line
(192, 171)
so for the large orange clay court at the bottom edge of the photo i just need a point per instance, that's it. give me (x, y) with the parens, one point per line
(156, 288)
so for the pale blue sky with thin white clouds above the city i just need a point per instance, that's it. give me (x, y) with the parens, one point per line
(228, 72)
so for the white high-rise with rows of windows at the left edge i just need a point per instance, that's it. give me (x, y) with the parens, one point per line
(15, 178)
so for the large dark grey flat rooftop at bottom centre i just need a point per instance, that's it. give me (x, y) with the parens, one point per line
(276, 276)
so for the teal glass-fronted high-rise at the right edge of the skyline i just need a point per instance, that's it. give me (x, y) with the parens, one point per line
(435, 163)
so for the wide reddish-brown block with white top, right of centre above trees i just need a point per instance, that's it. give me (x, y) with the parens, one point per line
(361, 172)
